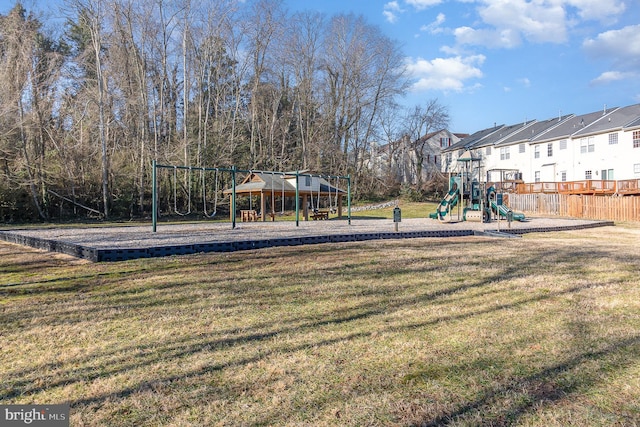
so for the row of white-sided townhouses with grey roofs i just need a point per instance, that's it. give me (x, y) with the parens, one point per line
(603, 145)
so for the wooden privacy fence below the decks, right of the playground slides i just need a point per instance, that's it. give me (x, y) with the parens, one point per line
(612, 208)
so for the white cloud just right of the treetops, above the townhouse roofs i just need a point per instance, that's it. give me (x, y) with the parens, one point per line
(446, 74)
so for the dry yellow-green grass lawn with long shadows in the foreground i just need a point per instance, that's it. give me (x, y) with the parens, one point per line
(539, 331)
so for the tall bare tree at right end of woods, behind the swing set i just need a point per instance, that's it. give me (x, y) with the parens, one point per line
(364, 73)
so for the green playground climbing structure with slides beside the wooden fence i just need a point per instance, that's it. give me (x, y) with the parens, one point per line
(466, 200)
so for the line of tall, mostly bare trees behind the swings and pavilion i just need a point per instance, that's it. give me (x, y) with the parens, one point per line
(87, 102)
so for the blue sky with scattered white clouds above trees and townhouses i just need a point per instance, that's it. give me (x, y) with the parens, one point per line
(503, 61)
